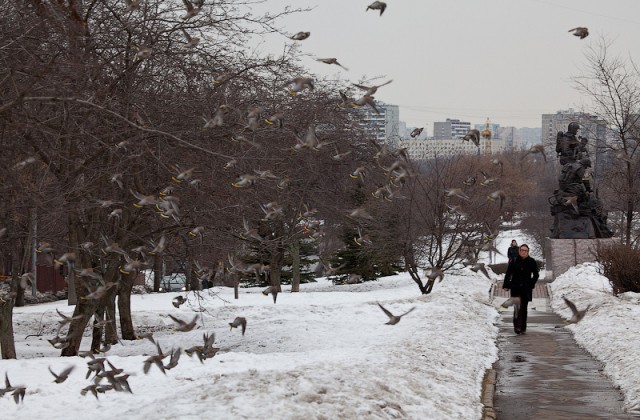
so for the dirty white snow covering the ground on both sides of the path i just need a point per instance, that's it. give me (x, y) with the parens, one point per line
(324, 352)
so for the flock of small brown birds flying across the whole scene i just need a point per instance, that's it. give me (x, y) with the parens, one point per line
(106, 377)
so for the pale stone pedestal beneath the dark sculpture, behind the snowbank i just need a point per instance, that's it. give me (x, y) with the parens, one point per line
(562, 254)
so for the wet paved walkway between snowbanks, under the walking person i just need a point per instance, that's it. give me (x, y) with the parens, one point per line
(545, 374)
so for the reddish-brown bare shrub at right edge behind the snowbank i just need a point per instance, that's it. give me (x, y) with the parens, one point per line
(621, 265)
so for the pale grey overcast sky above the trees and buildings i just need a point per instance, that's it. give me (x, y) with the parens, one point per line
(510, 61)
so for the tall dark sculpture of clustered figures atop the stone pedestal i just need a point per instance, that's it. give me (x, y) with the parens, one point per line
(577, 210)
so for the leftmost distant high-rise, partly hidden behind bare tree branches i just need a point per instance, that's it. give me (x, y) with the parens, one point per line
(385, 125)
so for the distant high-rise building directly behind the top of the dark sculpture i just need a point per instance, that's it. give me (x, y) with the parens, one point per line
(591, 127)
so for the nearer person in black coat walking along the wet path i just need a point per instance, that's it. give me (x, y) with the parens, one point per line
(520, 279)
